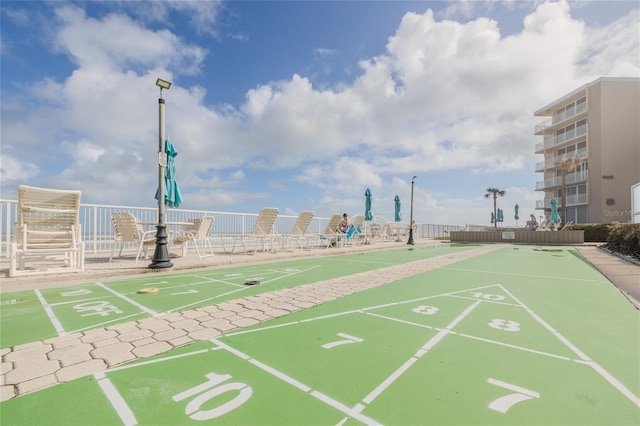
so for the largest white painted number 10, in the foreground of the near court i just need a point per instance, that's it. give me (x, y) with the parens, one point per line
(210, 389)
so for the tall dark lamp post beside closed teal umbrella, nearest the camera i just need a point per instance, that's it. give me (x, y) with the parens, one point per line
(161, 257)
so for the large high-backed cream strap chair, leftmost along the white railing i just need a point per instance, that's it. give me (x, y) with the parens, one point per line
(47, 233)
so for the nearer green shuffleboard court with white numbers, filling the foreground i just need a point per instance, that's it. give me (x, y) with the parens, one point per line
(517, 336)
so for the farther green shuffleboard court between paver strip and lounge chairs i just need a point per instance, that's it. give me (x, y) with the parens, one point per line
(37, 315)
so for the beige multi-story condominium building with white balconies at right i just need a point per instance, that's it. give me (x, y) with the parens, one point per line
(591, 148)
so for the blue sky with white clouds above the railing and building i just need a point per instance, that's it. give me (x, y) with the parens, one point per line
(299, 105)
